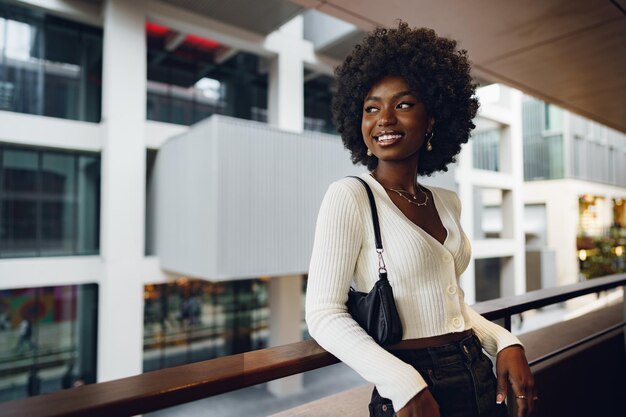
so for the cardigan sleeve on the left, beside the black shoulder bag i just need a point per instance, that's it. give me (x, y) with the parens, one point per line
(338, 241)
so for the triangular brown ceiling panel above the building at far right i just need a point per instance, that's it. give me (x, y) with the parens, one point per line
(576, 69)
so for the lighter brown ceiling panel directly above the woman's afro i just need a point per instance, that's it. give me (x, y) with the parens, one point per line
(480, 23)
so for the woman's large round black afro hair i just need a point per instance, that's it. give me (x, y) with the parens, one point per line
(437, 73)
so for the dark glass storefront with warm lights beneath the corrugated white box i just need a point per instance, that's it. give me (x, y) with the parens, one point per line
(191, 320)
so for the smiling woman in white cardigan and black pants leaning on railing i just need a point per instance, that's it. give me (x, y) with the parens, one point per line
(404, 105)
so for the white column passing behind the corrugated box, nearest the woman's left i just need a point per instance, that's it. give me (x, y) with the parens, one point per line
(286, 110)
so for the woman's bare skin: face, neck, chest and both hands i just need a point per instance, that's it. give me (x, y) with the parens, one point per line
(394, 127)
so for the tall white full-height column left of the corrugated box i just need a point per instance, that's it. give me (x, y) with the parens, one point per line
(120, 321)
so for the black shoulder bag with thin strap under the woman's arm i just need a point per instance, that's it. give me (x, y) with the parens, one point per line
(376, 311)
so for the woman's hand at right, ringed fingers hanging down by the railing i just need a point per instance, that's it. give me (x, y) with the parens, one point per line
(512, 366)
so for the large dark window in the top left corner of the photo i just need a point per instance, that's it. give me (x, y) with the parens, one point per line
(48, 65)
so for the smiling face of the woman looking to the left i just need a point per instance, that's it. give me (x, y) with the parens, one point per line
(395, 122)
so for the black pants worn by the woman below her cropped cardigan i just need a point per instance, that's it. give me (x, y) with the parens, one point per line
(459, 376)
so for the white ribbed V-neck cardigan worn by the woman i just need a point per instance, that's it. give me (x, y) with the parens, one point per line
(424, 275)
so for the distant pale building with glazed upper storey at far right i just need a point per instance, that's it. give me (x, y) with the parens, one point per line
(574, 191)
